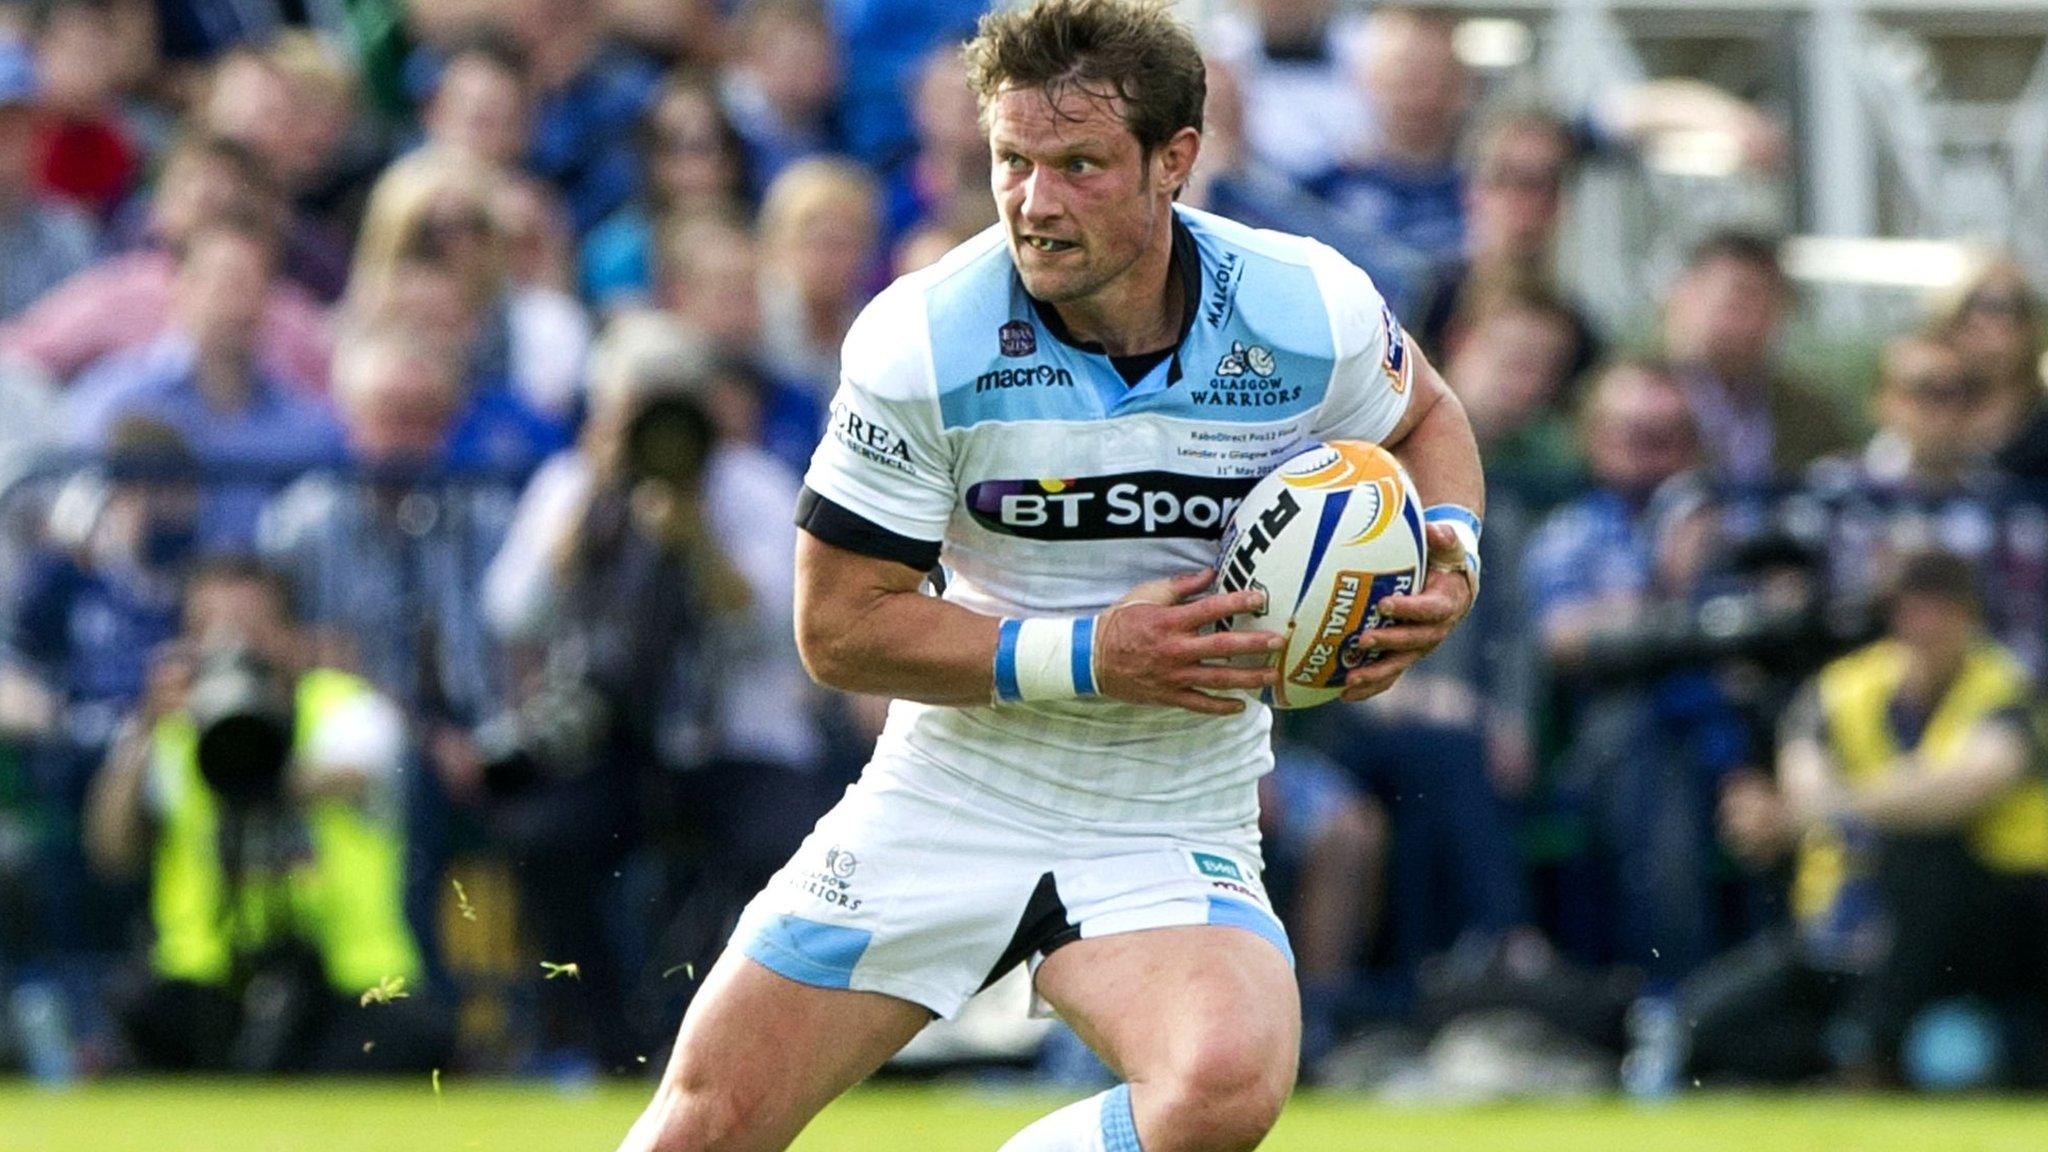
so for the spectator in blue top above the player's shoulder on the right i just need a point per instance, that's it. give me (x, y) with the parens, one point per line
(1406, 188)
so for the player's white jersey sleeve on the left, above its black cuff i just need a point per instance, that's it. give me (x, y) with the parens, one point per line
(886, 456)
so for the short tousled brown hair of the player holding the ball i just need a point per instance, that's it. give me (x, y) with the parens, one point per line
(1129, 50)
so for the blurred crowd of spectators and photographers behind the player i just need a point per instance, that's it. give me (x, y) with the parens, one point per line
(407, 405)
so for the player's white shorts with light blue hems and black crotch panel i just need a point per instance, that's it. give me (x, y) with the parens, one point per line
(925, 897)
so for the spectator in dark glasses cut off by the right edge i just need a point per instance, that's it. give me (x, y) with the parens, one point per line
(1994, 323)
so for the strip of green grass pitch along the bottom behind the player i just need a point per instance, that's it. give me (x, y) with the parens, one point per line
(169, 1116)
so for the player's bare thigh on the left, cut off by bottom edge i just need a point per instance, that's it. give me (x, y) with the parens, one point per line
(763, 1055)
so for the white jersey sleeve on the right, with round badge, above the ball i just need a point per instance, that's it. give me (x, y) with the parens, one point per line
(1375, 364)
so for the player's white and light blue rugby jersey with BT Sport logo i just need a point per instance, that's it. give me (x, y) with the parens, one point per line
(970, 429)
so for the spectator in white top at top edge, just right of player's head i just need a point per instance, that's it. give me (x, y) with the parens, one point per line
(1295, 63)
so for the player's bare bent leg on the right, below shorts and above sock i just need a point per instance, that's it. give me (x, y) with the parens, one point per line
(1199, 1020)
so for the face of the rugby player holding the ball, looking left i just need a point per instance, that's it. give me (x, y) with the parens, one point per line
(1074, 190)
